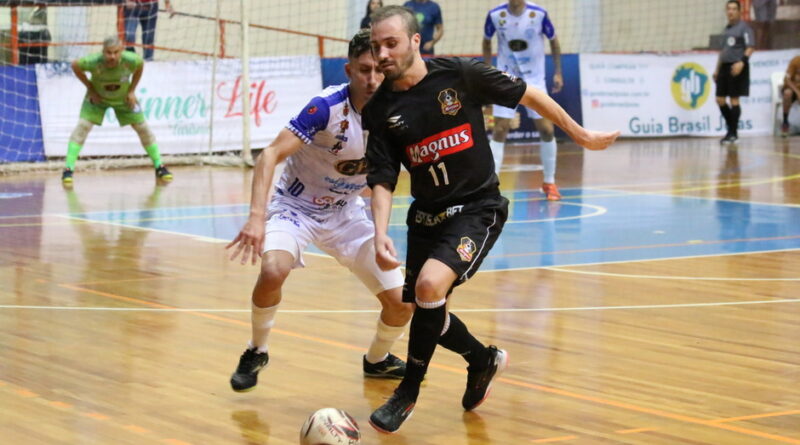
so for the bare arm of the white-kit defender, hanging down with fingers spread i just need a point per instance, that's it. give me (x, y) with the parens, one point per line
(250, 240)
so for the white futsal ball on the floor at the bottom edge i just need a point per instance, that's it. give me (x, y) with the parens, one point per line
(330, 426)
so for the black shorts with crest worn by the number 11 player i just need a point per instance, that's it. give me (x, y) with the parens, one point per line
(460, 236)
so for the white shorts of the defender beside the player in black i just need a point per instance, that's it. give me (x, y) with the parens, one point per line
(346, 235)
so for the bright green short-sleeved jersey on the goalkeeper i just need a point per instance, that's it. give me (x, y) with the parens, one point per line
(112, 84)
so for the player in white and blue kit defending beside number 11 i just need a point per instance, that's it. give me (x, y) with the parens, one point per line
(316, 200)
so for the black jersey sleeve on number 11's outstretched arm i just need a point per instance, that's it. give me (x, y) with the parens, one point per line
(490, 85)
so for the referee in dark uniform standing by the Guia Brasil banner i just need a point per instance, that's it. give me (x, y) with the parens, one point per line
(733, 70)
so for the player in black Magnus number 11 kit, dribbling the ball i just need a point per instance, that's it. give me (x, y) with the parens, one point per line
(427, 116)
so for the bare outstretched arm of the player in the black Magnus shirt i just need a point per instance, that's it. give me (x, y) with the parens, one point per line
(548, 108)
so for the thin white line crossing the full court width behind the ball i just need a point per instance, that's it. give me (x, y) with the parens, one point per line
(369, 311)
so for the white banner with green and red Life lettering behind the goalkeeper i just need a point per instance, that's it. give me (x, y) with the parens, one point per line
(176, 100)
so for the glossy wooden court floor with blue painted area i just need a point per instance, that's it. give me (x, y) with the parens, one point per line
(664, 310)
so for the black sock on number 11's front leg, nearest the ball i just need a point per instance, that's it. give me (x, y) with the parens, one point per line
(426, 326)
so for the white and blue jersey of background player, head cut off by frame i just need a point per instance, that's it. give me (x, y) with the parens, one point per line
(520, 40)
